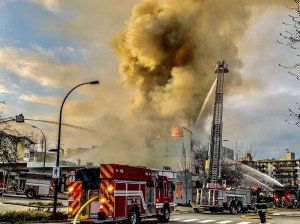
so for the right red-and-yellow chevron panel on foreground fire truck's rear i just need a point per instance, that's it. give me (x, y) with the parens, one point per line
(106, 199)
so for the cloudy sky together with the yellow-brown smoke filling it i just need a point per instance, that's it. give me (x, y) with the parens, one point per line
(155, 62)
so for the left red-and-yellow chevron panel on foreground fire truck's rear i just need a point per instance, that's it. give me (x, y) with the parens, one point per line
(74, 198)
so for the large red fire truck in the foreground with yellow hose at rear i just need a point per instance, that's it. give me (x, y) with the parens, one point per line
(124, 193)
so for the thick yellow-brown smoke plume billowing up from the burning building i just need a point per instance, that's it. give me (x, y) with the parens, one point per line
(167, 51)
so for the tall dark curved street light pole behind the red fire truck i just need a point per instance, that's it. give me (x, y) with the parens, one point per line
(59, 135)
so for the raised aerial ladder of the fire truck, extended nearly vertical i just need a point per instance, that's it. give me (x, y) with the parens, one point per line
(217, 125)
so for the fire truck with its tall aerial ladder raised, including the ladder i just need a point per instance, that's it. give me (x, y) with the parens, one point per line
(215, 196)
